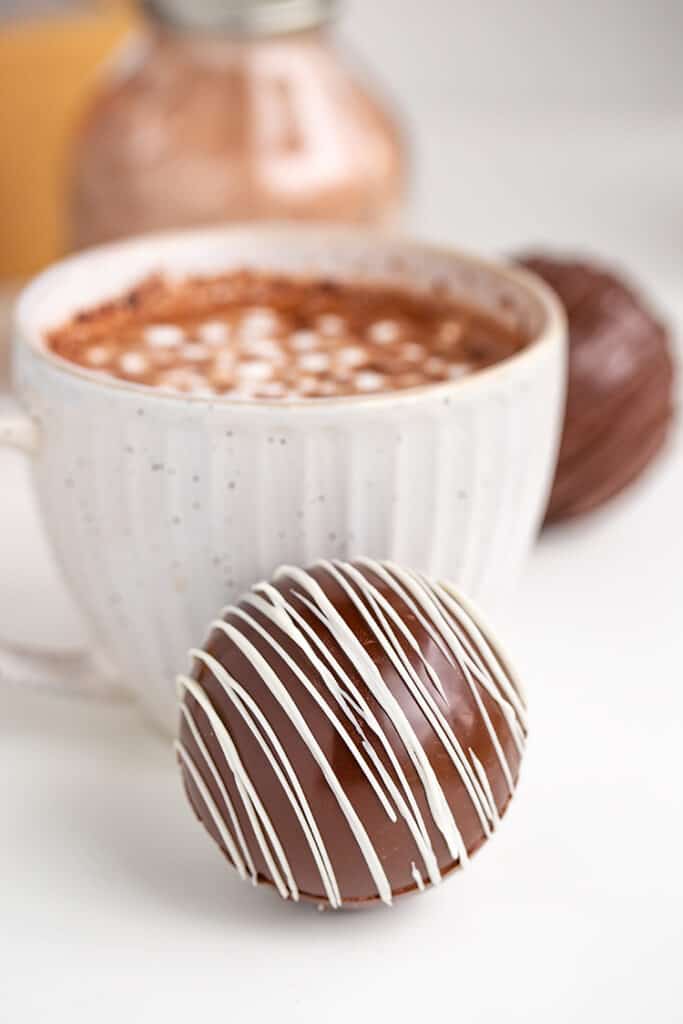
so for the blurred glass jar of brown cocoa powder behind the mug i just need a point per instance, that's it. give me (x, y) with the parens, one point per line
(233, 110)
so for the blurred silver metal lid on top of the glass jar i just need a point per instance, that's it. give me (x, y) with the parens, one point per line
(242, 17)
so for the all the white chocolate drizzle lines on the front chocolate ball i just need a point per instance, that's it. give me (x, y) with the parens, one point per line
(450, 624)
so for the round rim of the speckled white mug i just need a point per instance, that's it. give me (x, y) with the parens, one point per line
(553, 329)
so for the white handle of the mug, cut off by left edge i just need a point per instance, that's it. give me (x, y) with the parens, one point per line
(79, 671)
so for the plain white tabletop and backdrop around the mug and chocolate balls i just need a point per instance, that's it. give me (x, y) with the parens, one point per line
(532, 122)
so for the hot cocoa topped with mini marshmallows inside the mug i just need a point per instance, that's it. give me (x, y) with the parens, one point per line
(255, 336)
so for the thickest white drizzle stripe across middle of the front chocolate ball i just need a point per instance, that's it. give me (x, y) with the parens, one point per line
(360, 658)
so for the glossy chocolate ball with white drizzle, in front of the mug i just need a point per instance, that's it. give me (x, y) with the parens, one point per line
(351, 734)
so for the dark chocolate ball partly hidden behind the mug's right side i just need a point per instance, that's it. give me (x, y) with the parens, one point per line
(620, 400)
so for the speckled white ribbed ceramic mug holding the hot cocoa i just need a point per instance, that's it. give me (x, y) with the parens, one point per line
(163, 508)
